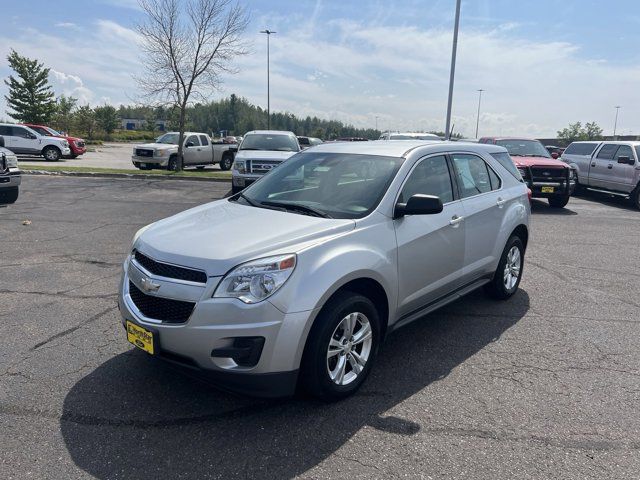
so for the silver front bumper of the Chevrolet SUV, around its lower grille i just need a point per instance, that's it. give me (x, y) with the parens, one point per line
(213, 326)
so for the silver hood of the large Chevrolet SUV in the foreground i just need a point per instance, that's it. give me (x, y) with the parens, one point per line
(220, 235)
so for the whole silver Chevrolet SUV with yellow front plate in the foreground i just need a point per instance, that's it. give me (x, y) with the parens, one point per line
(378, 235)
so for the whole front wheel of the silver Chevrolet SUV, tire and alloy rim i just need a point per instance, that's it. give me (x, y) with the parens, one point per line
(329, 366)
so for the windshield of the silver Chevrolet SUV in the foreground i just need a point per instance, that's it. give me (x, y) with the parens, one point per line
(333, 185)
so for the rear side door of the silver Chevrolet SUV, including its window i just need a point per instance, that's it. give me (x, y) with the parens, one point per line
(484, 202)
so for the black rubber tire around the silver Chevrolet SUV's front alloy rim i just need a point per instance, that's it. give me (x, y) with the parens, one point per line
(314, 376)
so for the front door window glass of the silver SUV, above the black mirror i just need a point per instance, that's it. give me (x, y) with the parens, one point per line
(430, 177)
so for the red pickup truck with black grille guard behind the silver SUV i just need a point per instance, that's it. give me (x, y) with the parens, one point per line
(545, 176)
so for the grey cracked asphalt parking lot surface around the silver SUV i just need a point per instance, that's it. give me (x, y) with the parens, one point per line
(546, 385)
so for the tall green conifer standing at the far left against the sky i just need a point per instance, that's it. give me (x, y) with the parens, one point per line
(30, 98)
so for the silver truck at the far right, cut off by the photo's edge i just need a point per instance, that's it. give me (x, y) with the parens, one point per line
(610, 167)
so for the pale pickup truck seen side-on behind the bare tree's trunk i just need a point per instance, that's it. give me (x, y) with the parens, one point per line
(198, 151)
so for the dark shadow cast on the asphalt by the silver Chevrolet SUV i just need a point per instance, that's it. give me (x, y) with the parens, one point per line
(134, 417)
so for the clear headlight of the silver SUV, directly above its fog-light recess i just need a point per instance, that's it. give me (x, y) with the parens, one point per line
(254, 281)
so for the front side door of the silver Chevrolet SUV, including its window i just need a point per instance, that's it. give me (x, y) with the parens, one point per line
(430, 247)
